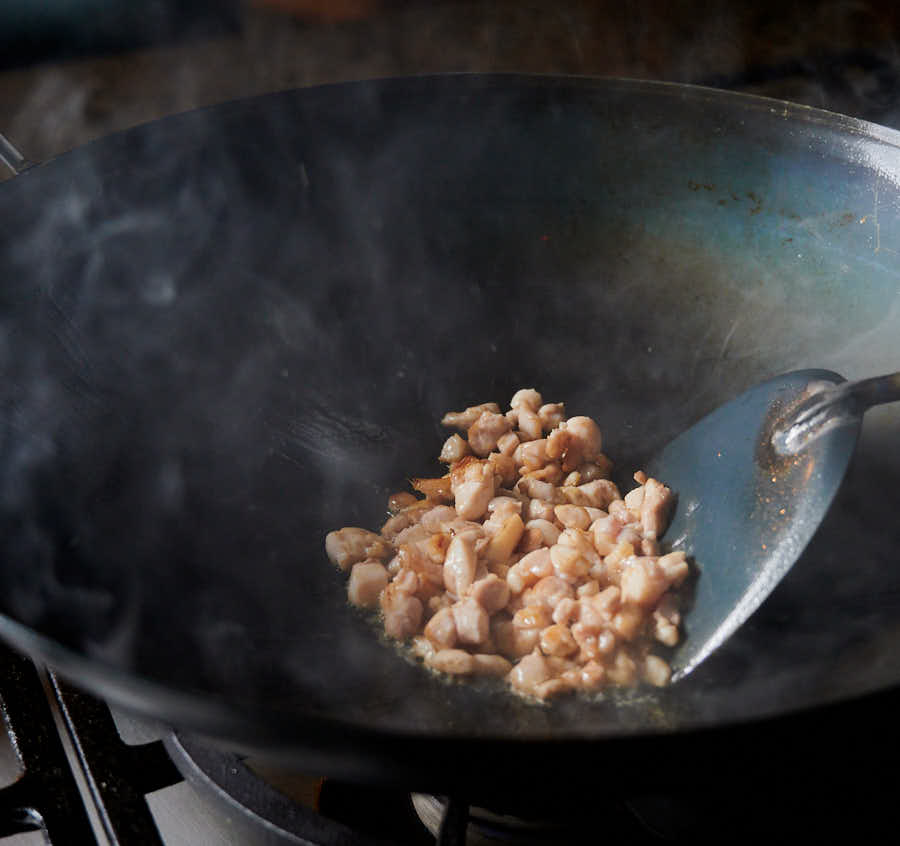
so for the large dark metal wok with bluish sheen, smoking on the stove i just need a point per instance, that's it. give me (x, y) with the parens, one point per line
(230, 331)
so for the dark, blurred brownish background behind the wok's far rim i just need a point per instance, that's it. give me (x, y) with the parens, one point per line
(73, 70)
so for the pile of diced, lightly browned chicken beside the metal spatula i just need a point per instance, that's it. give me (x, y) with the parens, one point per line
(524, 561)
